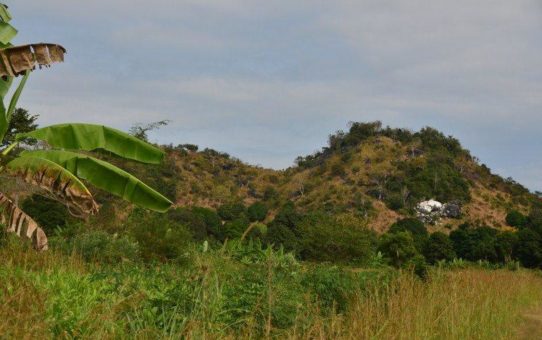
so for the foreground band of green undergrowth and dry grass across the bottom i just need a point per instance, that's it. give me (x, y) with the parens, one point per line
(244, 291)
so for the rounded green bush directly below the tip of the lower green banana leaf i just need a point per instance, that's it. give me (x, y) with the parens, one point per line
(159, 238)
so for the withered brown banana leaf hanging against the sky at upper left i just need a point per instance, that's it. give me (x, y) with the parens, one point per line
(17, 60)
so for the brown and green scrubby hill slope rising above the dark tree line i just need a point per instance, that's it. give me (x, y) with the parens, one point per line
(377, 173)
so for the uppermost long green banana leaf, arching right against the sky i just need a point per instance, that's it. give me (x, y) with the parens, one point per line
(89, 137)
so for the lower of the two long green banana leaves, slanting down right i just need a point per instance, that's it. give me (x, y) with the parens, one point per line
(106, 177)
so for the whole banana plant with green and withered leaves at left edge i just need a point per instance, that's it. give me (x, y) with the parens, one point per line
(65, 163)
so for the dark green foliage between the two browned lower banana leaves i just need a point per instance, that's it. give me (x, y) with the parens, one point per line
(48, 213)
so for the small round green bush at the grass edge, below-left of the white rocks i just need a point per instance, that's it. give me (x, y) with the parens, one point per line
(398, 247)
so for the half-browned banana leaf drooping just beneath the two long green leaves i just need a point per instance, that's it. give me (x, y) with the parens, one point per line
(56, 180)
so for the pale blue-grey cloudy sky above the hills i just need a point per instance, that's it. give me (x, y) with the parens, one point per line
(267, 81)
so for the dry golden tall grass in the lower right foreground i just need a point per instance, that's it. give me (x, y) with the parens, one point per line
(462, 304)
